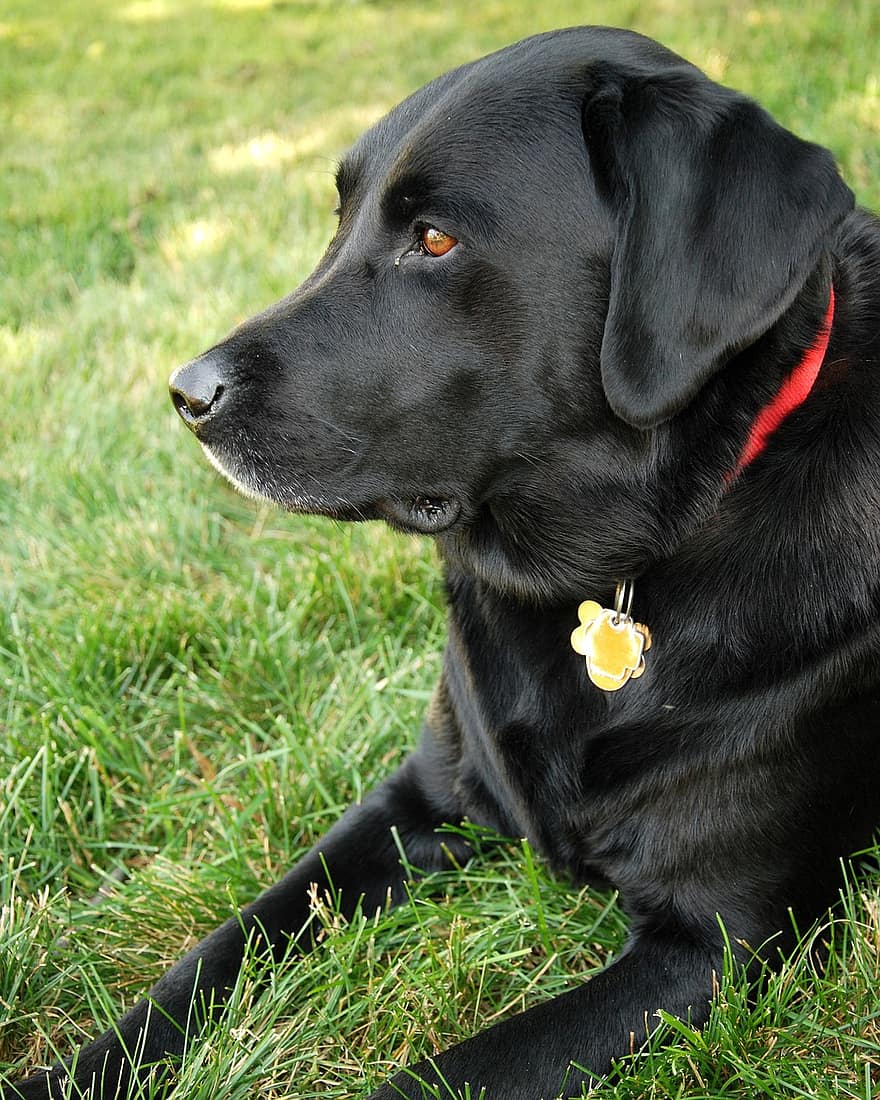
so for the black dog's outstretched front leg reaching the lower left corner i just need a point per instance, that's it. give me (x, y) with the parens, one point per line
(359, 860)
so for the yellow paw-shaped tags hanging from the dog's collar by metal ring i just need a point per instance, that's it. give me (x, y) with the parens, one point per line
(613, 645)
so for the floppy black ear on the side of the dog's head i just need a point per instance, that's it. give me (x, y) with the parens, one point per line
(721, 216)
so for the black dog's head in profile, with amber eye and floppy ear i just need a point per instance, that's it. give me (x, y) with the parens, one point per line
(552, 268)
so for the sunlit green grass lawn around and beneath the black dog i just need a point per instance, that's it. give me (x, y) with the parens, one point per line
(192, 688)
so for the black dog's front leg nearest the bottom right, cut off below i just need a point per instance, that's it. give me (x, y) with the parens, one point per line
(555, 1049)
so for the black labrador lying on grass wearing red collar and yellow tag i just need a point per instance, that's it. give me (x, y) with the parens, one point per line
(611, 336)
